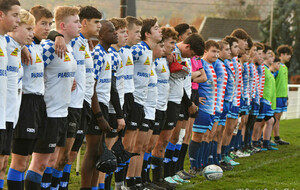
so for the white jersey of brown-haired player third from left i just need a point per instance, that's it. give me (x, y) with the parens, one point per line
(33, 80)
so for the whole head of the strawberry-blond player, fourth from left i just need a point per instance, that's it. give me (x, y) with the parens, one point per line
(67, 21)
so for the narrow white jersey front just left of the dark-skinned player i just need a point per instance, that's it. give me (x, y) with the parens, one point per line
(89, 74)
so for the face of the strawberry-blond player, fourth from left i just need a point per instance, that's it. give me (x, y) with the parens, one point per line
(73, 26)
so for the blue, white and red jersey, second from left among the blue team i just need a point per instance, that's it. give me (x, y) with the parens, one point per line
(222, 78)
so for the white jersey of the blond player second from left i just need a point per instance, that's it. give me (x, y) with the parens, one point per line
(13, 66)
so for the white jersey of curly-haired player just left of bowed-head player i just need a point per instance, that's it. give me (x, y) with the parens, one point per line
(163, 86)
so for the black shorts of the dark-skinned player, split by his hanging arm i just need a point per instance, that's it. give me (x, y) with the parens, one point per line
(93, 128)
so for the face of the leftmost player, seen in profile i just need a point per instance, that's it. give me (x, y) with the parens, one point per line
(11, 19)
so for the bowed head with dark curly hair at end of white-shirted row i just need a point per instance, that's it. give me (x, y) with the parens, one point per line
(193, 45)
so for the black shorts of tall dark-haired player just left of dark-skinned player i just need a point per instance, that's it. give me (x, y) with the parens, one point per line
(86, 115)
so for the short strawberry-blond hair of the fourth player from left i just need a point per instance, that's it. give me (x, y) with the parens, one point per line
(61, 12)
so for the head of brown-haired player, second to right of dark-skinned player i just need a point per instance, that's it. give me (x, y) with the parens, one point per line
(134, 26)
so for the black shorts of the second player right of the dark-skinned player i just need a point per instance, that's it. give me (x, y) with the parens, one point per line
(136, 117)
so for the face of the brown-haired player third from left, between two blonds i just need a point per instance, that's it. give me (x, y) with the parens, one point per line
(42, 28)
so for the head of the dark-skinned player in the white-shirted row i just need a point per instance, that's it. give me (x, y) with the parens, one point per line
(108, 33)
